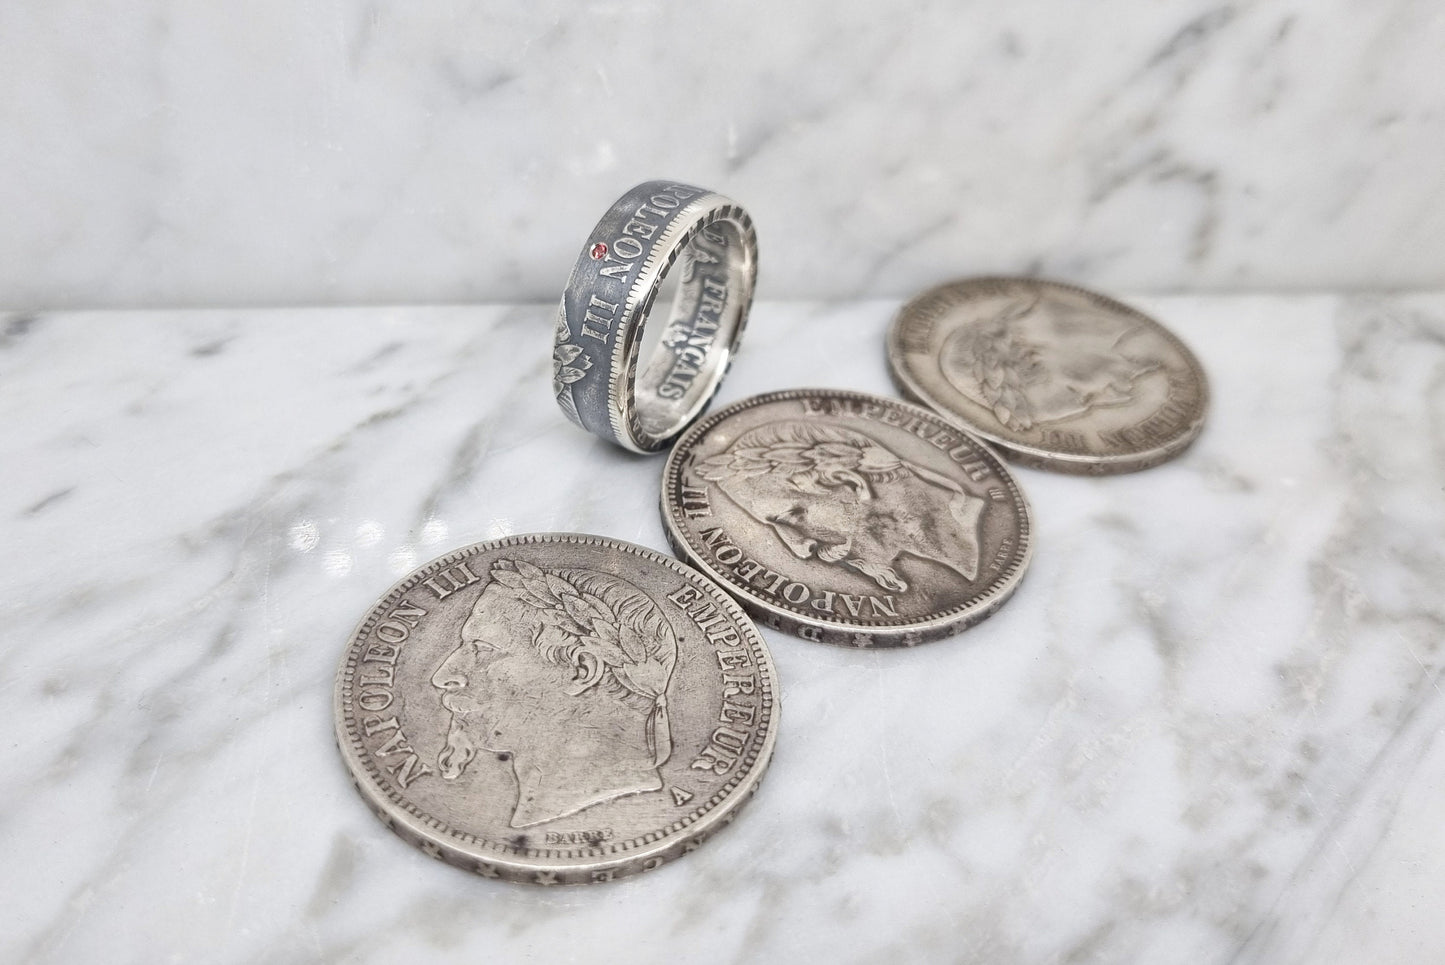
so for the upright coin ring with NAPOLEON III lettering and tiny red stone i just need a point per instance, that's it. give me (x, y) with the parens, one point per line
(598, 376)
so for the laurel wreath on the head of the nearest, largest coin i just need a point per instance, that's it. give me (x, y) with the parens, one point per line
(587, 623)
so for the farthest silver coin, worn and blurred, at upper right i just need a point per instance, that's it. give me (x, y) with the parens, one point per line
(1056, 376)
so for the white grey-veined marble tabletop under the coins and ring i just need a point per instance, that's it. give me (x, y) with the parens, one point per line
(1206, 730)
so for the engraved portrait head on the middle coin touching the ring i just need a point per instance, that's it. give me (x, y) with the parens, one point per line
(843, 498)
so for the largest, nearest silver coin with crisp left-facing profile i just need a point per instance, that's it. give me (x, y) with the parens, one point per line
(556, 709)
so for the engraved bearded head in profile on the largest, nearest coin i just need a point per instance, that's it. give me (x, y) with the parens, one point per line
(567, 672)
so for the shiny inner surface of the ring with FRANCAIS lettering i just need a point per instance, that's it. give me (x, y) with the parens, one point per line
(680, 366)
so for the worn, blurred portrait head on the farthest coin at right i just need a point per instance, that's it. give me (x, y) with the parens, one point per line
(1038, 363)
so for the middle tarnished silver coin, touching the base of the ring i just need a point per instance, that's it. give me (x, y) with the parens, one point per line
(847, 518)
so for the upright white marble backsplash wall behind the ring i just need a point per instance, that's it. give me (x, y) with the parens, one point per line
(278, 154)
